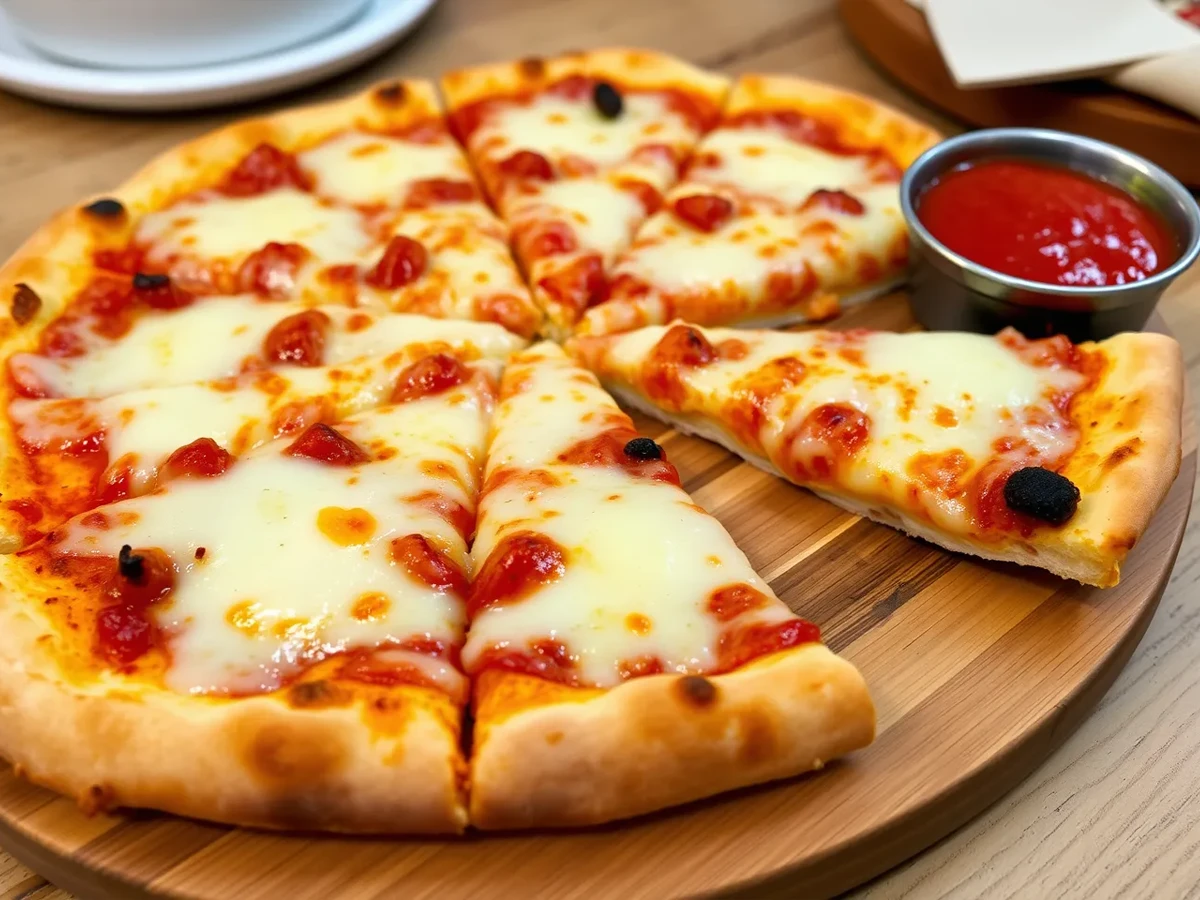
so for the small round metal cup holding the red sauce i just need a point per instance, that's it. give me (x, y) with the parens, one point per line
(951, 293)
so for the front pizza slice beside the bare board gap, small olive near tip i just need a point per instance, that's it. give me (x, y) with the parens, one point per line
(626, 657)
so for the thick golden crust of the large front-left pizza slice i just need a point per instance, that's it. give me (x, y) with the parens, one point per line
(389, 767)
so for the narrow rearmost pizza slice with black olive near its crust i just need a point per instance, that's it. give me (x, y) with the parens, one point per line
(575, 152)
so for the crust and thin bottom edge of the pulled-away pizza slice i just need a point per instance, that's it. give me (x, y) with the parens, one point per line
(1125, 466)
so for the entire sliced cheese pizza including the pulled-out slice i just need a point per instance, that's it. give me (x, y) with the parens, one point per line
(314, 511)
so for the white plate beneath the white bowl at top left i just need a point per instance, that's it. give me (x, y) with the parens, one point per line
(383, 23)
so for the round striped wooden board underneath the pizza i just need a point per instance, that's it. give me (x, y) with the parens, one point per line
(979, 673)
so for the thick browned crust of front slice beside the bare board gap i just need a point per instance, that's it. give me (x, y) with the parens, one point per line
(553, 757)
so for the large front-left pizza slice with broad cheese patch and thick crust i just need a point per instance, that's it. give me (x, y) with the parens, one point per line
(273, 643)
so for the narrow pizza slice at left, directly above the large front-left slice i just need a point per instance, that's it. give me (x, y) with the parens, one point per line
(75, 454)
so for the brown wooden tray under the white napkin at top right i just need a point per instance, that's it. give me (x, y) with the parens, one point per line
(896, 37)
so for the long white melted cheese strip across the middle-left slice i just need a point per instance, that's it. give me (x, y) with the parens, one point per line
(214, 338)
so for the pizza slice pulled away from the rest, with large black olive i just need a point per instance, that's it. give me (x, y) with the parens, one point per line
(1033, 452)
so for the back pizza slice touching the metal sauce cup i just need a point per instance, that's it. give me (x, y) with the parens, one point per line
(789, 211)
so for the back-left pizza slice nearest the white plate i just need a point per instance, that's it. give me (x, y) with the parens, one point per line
(365, 201)
